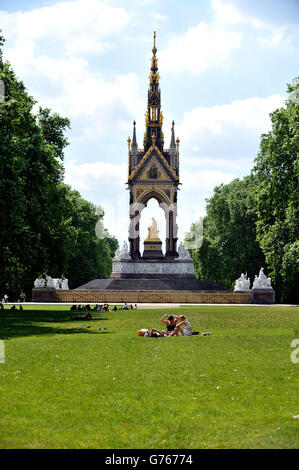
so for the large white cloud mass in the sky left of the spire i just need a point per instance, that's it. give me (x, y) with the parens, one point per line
(62, 77)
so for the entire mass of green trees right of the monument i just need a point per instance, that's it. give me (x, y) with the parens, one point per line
(254, 222)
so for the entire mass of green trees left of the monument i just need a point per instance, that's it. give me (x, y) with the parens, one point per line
(45, 225)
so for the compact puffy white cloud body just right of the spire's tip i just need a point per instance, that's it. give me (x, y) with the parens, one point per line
(199, 48)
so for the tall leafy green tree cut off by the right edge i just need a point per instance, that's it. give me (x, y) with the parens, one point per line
(277, 198)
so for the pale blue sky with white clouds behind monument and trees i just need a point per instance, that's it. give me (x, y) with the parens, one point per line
(224, 66)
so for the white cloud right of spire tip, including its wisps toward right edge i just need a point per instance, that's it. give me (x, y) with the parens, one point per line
(211, 45)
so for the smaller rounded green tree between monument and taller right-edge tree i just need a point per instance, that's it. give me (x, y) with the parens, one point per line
(229, 235)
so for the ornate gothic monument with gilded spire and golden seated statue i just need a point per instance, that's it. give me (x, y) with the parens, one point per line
(153, 172)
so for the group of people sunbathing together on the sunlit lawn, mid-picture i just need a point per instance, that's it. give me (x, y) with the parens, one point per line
(176, 325)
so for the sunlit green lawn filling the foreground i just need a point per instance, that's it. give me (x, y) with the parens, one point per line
(64, 385)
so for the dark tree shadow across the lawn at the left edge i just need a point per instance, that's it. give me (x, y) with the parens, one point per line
(16, 323)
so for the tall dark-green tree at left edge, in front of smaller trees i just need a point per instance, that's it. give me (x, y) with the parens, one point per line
(31, 150)
